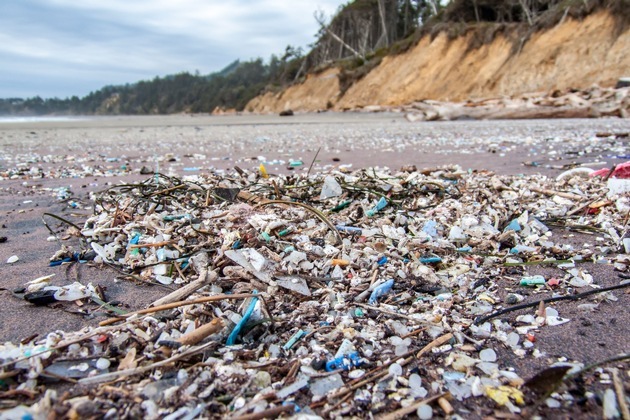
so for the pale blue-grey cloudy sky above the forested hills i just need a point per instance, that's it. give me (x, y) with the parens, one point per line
(60, 48)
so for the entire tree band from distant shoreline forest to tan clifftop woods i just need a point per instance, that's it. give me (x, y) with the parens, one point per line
(356, 39)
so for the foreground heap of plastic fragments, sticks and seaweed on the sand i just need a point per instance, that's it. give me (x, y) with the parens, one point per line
(329, 295)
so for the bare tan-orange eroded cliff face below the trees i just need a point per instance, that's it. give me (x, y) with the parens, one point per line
(573, 54)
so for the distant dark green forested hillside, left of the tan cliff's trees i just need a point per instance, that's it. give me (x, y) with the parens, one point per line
(232, 87)
